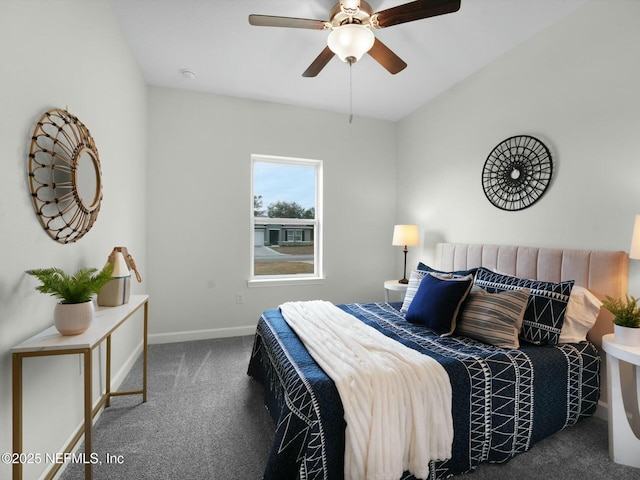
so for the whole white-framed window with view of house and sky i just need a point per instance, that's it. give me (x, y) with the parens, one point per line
(286, 219)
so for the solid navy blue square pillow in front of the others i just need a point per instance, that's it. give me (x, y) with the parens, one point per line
(437, 302)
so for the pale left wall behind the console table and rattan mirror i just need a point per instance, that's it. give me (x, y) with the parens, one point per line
(63, 54)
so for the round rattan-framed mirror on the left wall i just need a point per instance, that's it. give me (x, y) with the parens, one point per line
(64, 176)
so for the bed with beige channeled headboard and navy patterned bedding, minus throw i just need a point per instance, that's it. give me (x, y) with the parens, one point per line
(504, 399)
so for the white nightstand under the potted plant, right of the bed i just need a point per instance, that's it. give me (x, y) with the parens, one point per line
(624, 444)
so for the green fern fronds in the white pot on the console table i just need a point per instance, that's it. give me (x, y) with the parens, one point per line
(78, 288)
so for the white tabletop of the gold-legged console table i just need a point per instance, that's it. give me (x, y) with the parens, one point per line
(104, 321)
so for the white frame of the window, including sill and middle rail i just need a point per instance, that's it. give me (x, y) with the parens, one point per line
(297, 279)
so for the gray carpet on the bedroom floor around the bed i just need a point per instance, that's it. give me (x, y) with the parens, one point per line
(205, 419)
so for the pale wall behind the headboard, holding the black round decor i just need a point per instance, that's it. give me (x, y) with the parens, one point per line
(575, 87)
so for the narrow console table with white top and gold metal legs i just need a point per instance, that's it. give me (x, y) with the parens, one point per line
(50, 342)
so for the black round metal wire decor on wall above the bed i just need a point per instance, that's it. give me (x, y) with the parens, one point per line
(517, 172)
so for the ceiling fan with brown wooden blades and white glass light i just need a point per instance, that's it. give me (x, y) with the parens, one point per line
(351, 23)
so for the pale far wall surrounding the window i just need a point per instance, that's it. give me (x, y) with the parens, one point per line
(200, 208)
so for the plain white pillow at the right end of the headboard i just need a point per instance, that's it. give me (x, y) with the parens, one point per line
(582, 311)
